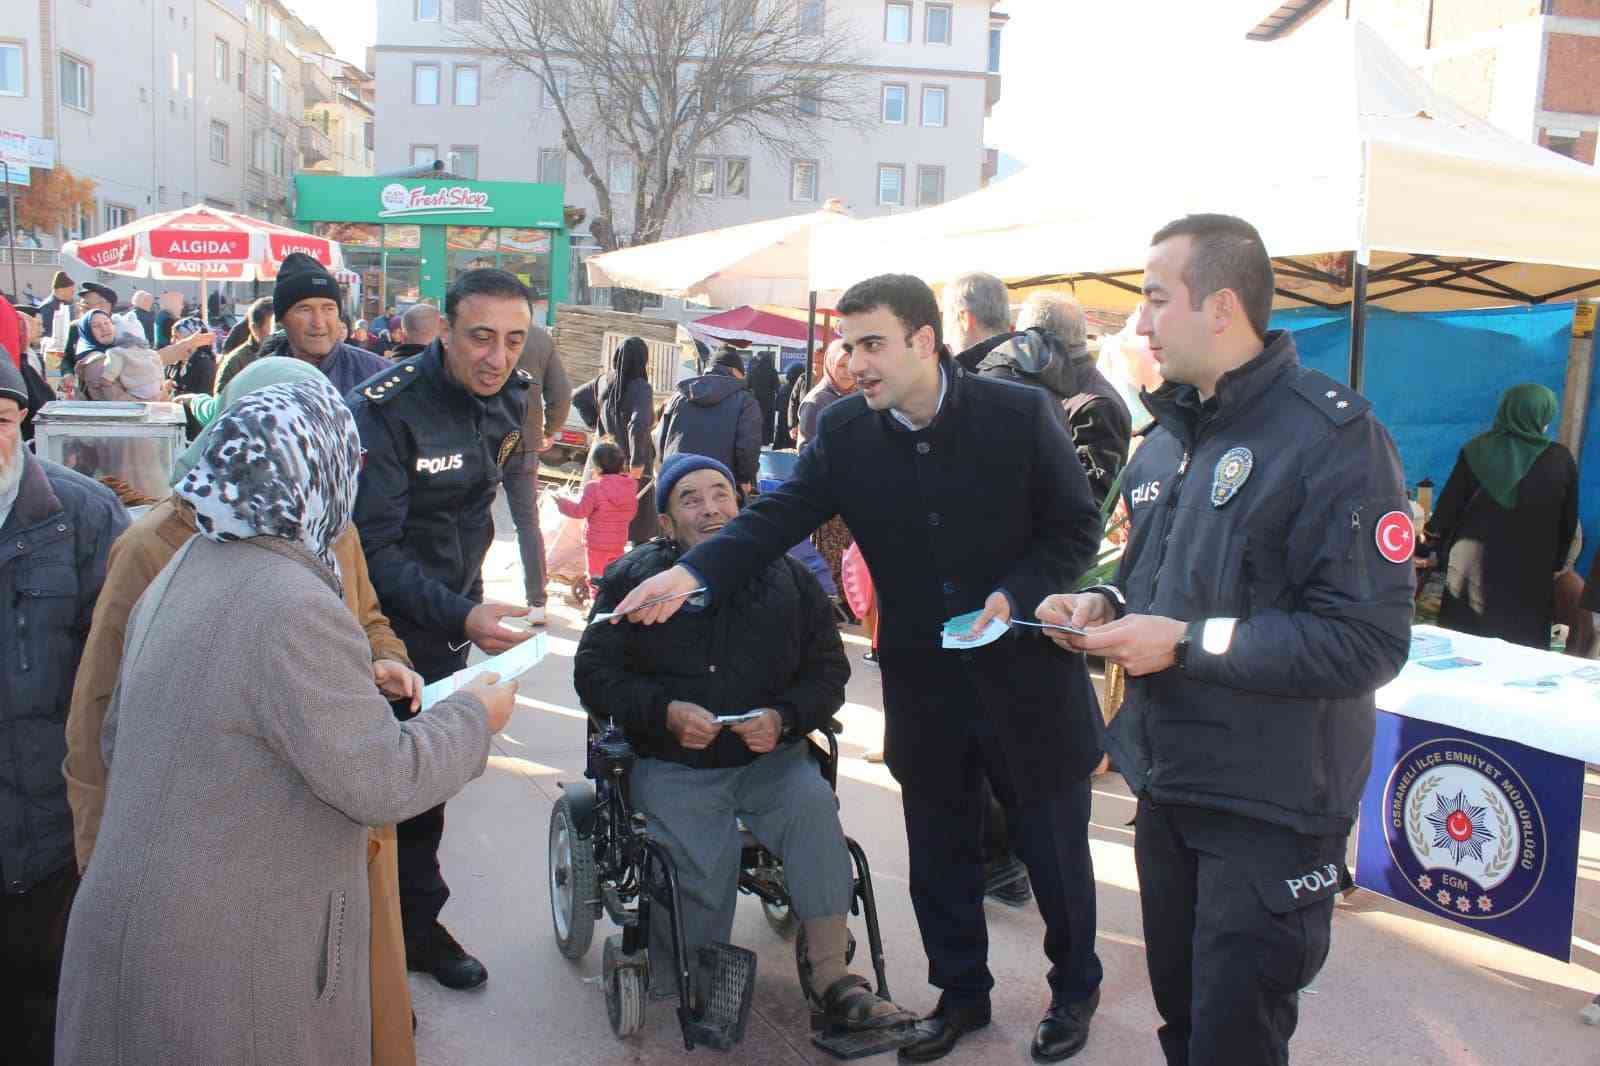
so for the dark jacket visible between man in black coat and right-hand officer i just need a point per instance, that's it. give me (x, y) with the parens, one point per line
(1089, 406)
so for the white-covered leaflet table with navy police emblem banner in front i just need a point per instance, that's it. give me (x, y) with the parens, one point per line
(1474, 801)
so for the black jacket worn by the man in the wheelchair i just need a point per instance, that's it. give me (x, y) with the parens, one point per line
(769, 644)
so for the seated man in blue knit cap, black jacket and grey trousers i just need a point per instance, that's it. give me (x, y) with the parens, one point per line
(772, 649)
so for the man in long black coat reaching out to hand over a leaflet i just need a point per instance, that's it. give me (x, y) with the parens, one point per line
(946, 531)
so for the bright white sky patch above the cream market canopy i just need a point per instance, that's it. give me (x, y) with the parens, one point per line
(1071, 68)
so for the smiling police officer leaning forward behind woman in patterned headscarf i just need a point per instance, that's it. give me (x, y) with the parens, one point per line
(438, 428)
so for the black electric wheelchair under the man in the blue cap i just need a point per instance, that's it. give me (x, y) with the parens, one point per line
(602, 859)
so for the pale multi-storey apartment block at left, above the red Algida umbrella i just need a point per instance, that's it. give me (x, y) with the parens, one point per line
(164, 105)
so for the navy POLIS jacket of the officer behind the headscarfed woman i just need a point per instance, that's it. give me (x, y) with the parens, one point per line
(434, 457)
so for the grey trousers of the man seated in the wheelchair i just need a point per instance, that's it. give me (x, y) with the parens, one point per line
(782, 799)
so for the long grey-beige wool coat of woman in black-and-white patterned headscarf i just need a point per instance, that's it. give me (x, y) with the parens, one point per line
(226, 918)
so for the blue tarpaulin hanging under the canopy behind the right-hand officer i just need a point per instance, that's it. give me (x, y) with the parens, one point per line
(1434, 380)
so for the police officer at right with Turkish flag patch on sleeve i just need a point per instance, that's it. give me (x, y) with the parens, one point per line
(1265, 596)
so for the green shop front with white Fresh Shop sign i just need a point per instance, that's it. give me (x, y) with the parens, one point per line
(409, 238)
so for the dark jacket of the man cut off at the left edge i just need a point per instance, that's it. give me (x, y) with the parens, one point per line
(54, 551)
